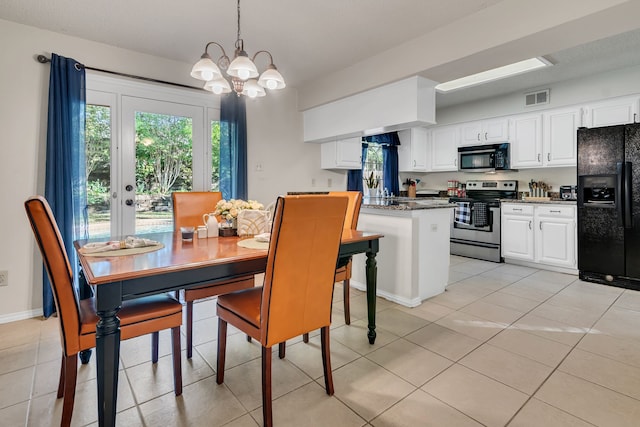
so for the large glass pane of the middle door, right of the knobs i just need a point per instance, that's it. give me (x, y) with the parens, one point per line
(163, 165)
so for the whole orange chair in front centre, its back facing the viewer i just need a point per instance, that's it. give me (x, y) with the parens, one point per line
(298, 285)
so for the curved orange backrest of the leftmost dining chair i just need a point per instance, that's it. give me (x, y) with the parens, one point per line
(56, 262)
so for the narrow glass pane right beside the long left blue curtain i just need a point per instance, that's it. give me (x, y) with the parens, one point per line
(98, 152)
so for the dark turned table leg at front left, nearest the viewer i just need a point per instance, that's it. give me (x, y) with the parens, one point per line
(108, 301)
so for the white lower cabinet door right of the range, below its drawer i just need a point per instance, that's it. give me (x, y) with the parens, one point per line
(517, 237)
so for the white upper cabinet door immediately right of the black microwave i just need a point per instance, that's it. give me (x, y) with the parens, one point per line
(525, 135)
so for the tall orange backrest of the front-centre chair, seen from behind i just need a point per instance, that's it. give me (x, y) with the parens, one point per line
(301, 265)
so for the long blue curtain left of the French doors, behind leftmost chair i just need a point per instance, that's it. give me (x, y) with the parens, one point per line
(65, 177)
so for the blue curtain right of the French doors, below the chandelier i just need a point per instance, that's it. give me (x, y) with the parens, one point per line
(233, 147)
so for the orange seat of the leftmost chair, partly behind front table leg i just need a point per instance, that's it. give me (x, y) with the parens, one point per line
(133, 311)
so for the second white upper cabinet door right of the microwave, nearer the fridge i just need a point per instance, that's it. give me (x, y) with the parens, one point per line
(560, 136)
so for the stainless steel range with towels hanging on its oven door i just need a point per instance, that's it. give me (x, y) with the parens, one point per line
(475, 224)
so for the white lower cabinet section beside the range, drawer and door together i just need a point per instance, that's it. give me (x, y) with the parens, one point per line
(517, 231)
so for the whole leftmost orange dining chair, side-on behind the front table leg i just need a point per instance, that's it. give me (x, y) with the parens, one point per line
(78, 318)
